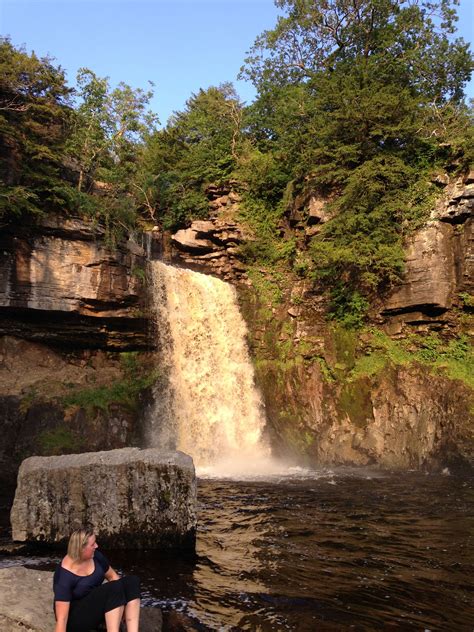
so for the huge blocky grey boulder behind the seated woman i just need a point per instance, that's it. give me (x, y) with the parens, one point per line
(132, 498)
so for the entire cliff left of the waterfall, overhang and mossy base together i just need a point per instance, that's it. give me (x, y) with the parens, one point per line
(72, 321)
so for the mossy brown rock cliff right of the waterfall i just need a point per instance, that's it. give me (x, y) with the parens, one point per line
(330, 396)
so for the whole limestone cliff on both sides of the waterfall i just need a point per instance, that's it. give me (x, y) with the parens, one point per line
(330, 396)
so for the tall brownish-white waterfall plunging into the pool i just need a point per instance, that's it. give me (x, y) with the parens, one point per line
(209, 406)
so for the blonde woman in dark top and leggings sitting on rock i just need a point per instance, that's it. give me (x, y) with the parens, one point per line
(82, 601)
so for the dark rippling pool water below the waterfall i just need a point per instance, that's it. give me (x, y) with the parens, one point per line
(342, 551)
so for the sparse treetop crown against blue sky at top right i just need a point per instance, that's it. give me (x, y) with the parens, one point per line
(409, 37)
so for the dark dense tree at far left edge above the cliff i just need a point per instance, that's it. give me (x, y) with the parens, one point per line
(35, 110)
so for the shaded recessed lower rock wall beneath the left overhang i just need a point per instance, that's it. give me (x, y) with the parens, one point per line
(38, 416)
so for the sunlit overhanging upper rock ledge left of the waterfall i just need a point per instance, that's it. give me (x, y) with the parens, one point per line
(60, 284)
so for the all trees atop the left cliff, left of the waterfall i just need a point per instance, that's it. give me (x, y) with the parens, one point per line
(62, 155)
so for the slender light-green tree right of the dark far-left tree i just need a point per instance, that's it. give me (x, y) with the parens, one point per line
(107, 141)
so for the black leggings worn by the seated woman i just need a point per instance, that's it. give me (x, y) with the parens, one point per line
(87, 613)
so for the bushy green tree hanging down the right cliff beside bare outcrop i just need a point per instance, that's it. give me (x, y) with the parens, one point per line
(361, 249)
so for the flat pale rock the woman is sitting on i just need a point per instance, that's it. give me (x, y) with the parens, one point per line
(26, 600)
